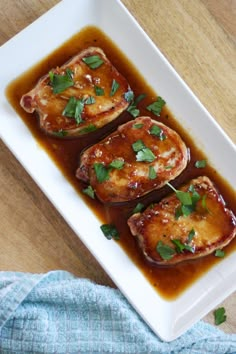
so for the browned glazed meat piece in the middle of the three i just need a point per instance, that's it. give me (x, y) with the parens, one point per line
(140, 156)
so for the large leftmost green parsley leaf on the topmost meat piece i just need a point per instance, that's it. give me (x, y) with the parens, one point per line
(60, 83)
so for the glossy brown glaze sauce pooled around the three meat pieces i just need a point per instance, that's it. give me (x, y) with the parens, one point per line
(170, 282)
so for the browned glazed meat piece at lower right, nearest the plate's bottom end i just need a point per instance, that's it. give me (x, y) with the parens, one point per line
(167, 237)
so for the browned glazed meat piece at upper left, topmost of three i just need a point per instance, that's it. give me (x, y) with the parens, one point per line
(84, 94)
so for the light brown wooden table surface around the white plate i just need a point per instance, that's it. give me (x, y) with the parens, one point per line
(198, 38)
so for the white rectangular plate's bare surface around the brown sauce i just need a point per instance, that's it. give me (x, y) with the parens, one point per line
(167, 319)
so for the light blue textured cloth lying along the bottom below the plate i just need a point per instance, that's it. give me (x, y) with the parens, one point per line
(58, 313)
